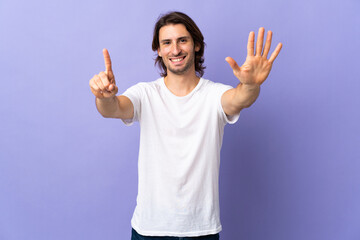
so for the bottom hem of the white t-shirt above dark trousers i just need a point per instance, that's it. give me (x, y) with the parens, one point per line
(177, 234)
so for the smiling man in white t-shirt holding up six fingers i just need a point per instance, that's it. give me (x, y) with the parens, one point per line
(182, 118)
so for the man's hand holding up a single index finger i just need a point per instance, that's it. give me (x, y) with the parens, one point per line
(103, 85)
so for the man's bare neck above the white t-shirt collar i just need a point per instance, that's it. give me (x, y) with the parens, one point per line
(181, 85)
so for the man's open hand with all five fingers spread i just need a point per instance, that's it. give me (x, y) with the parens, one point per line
(257, 67)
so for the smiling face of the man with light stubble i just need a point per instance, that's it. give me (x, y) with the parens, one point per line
(177, 49)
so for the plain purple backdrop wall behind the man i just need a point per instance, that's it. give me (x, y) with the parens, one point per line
(289, 168)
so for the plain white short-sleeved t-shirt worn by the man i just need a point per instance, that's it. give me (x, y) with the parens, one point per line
(179, 158)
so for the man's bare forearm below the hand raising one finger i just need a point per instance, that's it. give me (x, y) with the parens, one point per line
(108, 107)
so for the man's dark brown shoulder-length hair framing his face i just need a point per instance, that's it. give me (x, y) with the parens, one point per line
(191, 27)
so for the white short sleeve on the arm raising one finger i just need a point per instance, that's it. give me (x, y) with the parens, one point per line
(134, 94)
